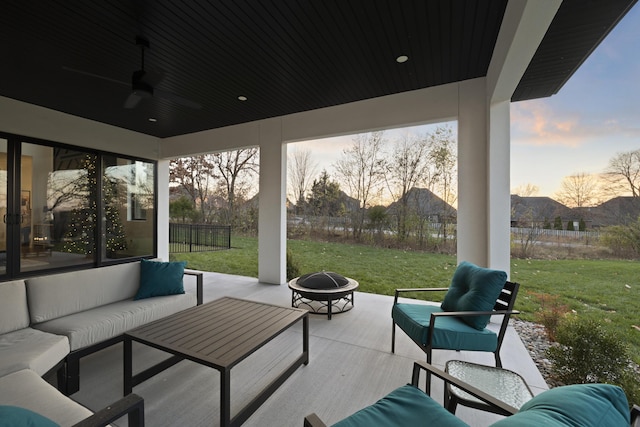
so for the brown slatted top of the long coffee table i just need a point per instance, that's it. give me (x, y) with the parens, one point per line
(220, 333)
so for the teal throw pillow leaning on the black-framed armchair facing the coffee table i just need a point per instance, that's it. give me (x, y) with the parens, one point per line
(474, 288)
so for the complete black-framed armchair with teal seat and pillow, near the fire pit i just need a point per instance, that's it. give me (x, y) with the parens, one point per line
(460, 322)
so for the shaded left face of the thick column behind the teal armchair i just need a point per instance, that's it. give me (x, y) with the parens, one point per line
(473, 236)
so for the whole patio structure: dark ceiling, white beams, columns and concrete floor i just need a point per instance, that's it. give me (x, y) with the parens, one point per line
(276, 74)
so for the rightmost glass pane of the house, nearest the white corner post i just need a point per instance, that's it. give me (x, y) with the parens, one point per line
(129, 200)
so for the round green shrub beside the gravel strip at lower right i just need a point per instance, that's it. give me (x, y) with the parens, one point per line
(589, 353)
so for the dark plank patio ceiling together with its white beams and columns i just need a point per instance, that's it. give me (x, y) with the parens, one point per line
(239, 75)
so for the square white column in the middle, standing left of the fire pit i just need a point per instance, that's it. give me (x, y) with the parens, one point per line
(272, 226)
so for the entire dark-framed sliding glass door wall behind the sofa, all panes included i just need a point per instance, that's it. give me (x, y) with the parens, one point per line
(65, 207)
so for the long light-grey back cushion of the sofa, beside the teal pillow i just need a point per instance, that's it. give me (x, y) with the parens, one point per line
(58, 295)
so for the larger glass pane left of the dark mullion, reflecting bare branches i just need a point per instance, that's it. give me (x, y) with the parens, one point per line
(57, 207)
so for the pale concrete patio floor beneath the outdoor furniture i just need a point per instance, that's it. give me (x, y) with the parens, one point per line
(350, 367)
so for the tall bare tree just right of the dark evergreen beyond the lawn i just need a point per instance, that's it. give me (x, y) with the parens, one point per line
(362, 170)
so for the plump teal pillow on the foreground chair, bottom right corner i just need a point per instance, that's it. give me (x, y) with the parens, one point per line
(584, 405)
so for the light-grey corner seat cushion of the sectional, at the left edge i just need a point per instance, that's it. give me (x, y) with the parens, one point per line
(31, 349)
